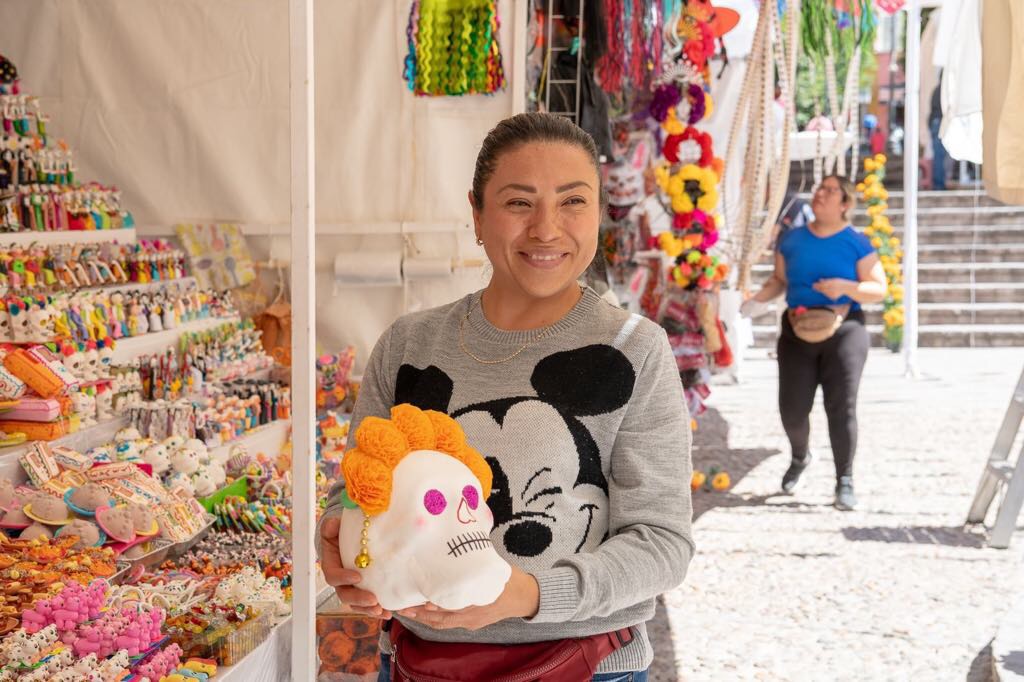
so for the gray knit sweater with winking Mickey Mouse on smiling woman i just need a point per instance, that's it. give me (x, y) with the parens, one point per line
(588, 437)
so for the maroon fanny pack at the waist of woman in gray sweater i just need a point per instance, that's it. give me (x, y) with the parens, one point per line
(417, 660)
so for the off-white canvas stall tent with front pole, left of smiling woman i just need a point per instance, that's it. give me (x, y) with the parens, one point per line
(291, 119)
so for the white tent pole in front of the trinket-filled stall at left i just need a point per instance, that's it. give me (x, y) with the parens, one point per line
(304, 319)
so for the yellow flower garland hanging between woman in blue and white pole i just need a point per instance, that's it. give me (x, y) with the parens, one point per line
(889, 248)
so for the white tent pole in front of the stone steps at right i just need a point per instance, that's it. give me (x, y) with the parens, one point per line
(911, 173)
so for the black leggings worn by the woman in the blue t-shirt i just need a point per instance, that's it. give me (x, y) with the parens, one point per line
(835, 364)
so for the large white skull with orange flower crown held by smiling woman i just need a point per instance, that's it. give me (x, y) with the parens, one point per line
(418, 491)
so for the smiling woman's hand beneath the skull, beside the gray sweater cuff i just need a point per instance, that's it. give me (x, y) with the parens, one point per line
(521, 599)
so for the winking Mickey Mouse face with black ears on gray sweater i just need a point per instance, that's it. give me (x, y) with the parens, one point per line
(550, 493)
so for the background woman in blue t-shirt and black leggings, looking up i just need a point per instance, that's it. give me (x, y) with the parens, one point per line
(827, 265)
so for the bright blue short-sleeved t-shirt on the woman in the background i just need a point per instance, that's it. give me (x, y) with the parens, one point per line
(809, 259)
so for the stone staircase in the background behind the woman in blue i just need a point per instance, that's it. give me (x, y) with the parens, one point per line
(971, 272)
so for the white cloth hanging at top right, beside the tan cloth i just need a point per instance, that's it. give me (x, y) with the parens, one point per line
(962, 114)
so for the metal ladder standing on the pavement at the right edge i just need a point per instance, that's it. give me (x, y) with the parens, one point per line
(1000, 472)
